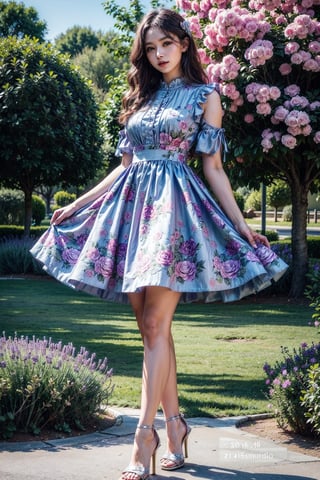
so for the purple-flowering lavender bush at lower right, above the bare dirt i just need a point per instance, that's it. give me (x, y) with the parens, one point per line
(287, 380)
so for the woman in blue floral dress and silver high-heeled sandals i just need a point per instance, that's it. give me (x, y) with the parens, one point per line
(150, 233)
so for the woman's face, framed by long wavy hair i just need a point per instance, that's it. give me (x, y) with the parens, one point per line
(164, 53)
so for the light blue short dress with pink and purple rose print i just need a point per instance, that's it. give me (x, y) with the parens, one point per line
(158, 225)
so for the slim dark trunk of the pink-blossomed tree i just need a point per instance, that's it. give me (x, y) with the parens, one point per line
(299, 239)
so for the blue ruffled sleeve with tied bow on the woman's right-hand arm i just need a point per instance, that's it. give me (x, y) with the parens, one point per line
(210, 139)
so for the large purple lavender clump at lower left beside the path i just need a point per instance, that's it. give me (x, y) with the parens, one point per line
(47, 384)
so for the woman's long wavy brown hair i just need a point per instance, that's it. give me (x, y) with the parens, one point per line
(143, 79)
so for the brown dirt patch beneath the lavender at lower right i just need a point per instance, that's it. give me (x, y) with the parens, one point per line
(268, 428)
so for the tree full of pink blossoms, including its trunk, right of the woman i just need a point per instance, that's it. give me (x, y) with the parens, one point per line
(265, 56)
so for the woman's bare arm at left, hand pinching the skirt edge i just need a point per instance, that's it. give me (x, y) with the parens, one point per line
(65, 212)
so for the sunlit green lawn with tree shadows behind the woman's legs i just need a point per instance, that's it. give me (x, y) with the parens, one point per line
(221, 348)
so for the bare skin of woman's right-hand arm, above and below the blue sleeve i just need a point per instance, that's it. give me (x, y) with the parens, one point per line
(218, 180)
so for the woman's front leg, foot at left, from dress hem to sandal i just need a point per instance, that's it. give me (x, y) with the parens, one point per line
(154, 308)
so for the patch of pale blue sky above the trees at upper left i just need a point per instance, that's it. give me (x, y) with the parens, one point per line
(63, 14)
